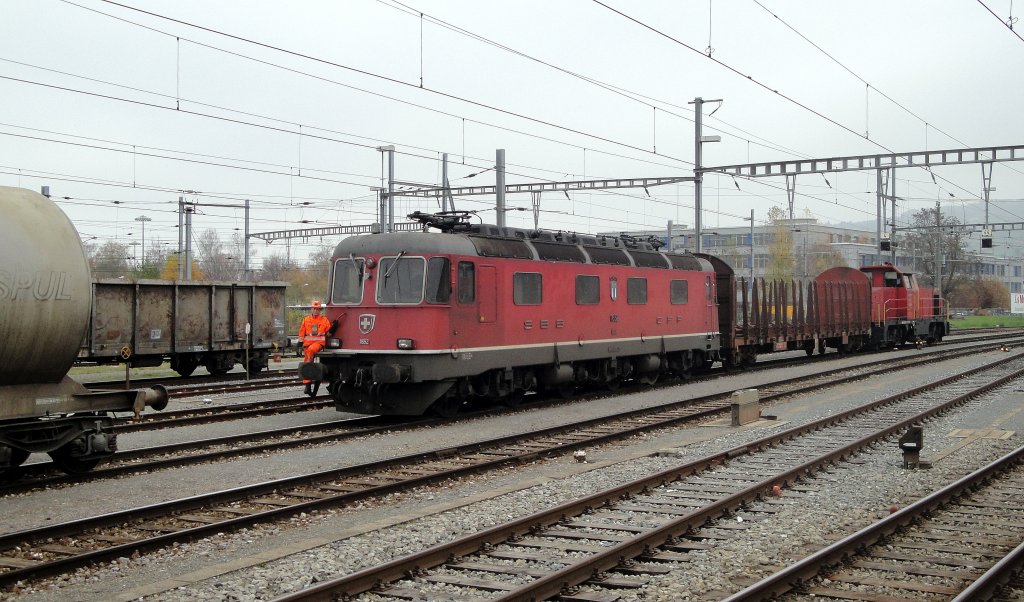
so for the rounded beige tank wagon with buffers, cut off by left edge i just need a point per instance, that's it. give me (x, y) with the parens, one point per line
(45, 312)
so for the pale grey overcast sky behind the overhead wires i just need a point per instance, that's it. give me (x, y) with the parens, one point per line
(121, 106)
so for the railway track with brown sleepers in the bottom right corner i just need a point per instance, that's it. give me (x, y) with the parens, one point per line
(962, 543)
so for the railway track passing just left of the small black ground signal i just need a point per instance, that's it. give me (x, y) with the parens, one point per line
(618, 538)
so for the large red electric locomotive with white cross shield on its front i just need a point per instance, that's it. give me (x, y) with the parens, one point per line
(430, 322)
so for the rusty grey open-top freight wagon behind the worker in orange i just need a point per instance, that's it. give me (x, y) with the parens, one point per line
(191, 324)
